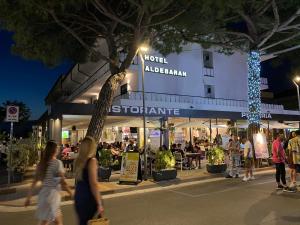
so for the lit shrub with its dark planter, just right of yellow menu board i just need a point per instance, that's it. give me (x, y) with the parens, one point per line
(164, 166)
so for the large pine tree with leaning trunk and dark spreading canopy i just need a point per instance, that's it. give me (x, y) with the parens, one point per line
(110, 31)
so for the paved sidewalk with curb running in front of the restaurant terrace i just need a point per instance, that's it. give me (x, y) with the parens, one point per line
(112, 187)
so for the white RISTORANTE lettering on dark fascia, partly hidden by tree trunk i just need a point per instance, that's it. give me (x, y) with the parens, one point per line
(138, 110)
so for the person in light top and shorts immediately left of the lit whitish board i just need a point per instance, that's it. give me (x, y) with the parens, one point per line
(249, 159)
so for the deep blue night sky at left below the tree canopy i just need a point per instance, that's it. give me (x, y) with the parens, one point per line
(25, 80)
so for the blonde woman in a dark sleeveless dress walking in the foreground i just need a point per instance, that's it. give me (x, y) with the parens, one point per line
(88, 201)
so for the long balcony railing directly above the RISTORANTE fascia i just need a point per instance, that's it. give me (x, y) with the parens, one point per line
(193, 100)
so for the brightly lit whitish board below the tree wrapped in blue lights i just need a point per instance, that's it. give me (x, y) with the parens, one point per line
(260, 146)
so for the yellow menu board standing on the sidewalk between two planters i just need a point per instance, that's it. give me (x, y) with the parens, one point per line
(129, 167)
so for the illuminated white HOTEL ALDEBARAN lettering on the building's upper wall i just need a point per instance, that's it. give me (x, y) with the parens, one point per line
(160, 69)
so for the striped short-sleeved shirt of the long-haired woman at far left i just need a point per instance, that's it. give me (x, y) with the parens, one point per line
(52, 178)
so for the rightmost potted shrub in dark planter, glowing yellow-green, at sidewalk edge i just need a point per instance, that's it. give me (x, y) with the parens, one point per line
(216, 158)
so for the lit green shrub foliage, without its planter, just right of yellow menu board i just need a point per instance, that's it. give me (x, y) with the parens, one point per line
(164, 160)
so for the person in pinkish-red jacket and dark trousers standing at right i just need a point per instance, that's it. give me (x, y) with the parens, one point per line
(278, 156)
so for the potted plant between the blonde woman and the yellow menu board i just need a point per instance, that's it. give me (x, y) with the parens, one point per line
(105, 162)
